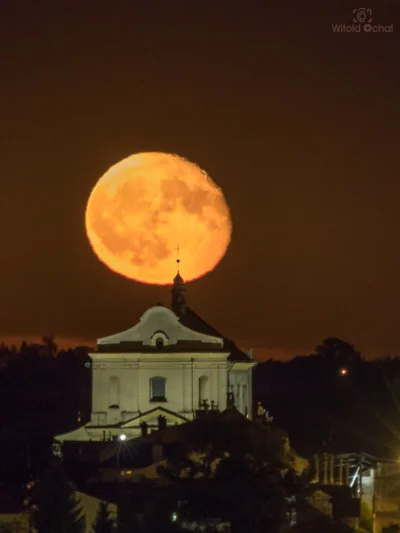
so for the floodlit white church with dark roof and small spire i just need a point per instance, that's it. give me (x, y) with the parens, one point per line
(170, 365)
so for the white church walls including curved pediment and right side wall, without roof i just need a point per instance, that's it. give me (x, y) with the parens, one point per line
(182, 371)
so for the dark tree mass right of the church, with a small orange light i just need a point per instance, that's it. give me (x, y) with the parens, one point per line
(334, 399)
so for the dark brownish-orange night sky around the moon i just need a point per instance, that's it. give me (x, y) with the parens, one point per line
(299, 125)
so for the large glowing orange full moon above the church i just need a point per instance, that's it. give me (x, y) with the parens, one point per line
(150, 207)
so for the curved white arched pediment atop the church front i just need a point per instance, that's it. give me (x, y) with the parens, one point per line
(158, 322)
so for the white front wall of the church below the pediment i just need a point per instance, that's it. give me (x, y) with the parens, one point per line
(182, 384)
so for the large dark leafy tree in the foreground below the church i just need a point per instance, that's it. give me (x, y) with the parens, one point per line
(236, 482)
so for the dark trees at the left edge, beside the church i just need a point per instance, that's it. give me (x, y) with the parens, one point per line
(43, 391)
